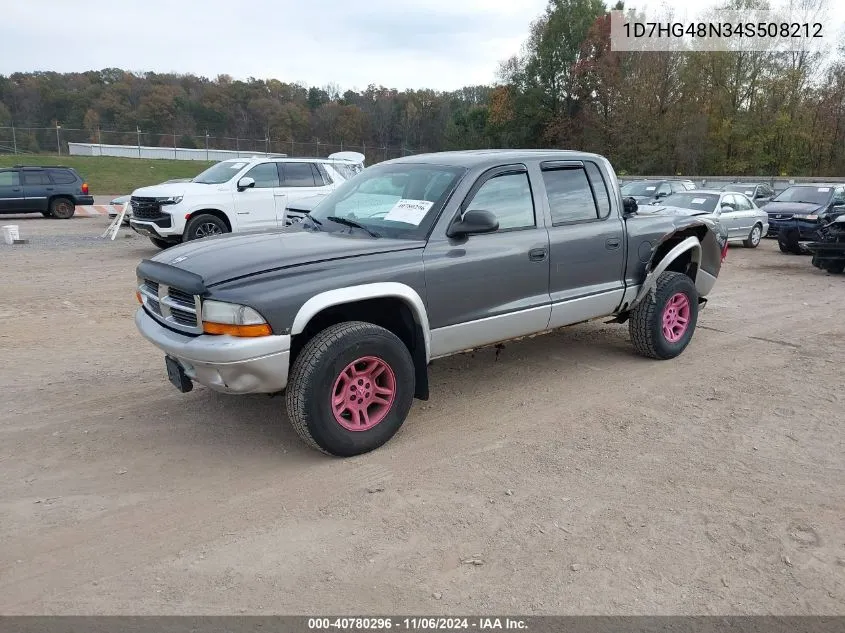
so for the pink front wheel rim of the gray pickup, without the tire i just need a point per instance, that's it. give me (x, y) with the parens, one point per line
(363, 394)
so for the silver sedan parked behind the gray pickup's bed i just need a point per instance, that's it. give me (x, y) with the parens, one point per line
(742, 219)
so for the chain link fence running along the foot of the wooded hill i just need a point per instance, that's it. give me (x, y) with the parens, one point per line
(54, 140)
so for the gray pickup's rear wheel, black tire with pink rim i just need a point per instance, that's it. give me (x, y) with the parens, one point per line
(662, 325)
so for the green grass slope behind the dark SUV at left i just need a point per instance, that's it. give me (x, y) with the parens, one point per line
(108, 175)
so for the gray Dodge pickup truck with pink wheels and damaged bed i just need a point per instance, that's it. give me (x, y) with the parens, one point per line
(415, 259)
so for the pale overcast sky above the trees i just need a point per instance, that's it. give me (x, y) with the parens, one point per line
(440, 44)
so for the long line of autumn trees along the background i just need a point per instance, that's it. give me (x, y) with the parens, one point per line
(715, 113)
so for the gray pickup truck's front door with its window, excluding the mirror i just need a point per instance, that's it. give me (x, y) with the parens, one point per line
(491, 287)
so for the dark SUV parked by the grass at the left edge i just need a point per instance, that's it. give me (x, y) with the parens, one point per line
(52, 190)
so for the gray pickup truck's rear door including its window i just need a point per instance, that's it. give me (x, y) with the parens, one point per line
(587, 242)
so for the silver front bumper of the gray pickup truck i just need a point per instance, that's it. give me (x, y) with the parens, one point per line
(226, 364)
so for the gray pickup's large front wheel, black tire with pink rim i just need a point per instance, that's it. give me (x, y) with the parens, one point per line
(350, 389)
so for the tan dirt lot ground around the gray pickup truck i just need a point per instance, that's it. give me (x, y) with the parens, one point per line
(581, 477)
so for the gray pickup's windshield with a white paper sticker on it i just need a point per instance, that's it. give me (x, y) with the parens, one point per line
(395, 200)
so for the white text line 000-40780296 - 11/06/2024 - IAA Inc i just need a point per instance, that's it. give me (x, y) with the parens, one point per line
(415, 624)
